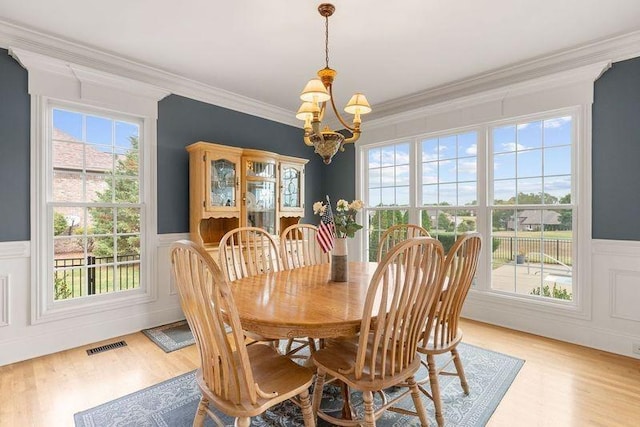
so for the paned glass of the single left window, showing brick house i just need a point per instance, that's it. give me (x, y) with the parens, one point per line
(94, 203)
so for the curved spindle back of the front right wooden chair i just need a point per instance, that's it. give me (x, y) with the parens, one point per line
(405, 286)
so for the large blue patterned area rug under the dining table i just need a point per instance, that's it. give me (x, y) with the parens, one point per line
(173, 402)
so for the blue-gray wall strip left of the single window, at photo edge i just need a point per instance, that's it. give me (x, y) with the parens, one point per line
(14, 151)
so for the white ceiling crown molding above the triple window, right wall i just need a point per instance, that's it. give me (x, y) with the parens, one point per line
(612, 49)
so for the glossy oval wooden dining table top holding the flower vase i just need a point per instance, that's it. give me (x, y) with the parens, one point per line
(303, 302)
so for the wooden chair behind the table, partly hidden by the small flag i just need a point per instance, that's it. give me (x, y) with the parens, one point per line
(299, 248)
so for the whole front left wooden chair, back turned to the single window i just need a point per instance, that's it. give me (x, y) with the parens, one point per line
(238, 380)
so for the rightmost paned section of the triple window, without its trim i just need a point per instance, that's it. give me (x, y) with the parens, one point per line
(531, 208)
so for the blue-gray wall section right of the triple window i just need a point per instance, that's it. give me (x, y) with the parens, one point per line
(616, 153)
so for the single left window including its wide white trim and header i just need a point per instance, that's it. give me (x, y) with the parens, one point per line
(93, 220)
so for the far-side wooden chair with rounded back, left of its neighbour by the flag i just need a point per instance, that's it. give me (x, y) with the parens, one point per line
(245, 252)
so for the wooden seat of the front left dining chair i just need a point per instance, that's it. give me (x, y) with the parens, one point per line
(273, 372)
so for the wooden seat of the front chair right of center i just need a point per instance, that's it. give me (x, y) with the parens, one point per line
(339, 355)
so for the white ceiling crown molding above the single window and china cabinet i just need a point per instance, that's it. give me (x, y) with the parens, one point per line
(17, 37)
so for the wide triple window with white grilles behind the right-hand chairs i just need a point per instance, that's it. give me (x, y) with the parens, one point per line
(513, 181)
